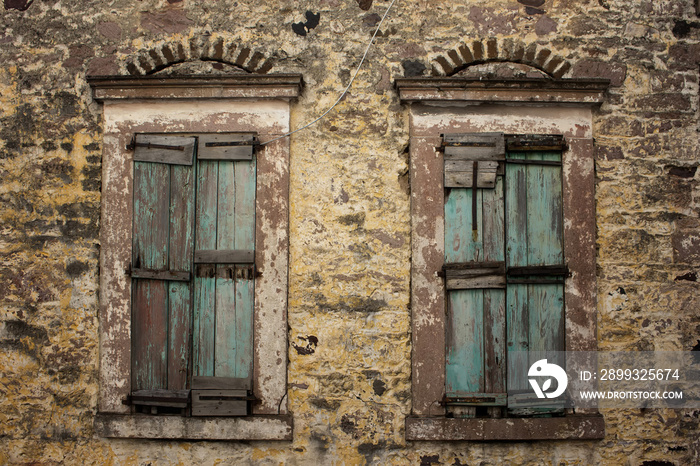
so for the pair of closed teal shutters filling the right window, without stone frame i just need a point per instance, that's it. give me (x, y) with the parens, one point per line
(504, 264)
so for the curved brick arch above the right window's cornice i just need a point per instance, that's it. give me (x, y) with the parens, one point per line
(493, 50)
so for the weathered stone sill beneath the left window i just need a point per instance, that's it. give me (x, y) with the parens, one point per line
(193, 428)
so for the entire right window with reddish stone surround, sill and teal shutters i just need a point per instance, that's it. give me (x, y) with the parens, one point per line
(469, 270)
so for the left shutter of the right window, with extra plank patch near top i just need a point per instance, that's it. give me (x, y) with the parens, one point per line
(475, 271)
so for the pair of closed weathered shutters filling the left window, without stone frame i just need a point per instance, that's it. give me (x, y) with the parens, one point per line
(193, 272)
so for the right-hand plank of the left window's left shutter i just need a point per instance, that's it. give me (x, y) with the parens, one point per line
(182, 195)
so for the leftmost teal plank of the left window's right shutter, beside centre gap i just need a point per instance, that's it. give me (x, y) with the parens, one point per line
(205, 283)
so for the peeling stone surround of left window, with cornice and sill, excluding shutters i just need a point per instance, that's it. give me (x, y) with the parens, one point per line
(202, 104)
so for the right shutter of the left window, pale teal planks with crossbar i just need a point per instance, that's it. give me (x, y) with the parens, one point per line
(224, 259)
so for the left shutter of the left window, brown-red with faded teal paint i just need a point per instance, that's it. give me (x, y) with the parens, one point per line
(161, 264)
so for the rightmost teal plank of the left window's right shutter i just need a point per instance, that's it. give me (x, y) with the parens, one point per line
(245, 179)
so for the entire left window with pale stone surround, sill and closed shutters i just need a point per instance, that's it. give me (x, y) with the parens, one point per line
(194, 257)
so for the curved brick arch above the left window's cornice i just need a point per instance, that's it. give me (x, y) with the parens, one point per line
(165, 54)
